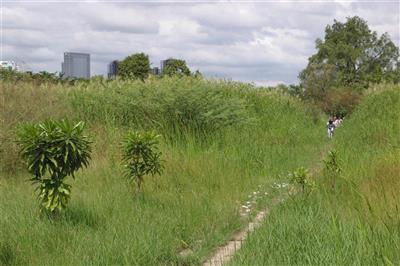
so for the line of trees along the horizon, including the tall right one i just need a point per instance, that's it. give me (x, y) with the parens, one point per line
(348, 60)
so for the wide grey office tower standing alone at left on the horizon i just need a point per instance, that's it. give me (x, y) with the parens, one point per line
(76, 65)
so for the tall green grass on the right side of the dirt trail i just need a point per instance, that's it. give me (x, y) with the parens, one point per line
(356, 222)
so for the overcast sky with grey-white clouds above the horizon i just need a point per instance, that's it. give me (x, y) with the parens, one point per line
(265, 42)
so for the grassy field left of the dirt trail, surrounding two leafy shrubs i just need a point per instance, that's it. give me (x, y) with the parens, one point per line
(222, 140)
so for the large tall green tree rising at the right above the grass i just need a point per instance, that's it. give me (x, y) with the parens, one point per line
(350, 55)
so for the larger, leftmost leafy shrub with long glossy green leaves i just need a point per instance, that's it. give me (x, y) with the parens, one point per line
(54, 150)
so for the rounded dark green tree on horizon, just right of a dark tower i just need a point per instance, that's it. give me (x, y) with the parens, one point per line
(136, 66)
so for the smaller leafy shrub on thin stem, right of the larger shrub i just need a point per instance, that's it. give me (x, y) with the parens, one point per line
(141, 155)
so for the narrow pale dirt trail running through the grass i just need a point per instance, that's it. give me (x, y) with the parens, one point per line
(225, 253)
